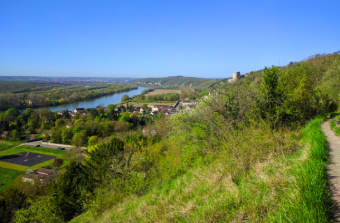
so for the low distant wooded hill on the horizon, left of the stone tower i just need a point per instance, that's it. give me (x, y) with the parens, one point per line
(180, 81)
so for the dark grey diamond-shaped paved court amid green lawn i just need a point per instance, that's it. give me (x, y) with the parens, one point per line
(26, 158)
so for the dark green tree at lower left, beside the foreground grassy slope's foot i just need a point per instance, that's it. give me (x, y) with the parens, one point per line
(71, 191)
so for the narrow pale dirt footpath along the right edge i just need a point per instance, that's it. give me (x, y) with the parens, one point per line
(334, 166)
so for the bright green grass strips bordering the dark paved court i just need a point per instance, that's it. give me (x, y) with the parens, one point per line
(58, 153)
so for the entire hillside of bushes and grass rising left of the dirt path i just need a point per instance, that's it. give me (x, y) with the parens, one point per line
(254, 152)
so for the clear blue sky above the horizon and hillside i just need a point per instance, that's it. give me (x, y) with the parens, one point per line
(158, 38)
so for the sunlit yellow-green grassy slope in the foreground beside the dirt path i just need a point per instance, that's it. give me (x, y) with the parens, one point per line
(283, 189)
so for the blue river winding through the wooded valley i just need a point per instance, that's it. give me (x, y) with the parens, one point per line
(94, 102)
